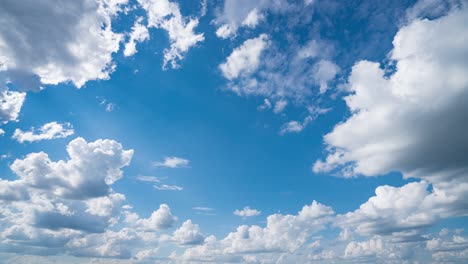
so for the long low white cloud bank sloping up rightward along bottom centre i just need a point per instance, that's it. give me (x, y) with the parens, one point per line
(282, 233)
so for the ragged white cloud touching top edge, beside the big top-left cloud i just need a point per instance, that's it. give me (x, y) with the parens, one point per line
(166, 15)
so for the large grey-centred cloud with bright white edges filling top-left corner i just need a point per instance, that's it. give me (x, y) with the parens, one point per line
(78, 46)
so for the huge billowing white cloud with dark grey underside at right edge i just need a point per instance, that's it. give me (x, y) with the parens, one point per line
(412, 120)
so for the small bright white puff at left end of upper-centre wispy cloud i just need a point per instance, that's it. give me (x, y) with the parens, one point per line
(244, 59)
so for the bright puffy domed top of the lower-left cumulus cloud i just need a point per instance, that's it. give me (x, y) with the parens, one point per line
(89, 171)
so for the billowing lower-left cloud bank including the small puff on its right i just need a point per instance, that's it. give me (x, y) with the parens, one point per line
(69, 205)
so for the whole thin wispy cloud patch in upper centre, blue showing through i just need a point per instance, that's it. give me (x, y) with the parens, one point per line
(291, 72)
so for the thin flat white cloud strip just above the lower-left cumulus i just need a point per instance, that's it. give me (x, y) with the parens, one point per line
(48, 131)
